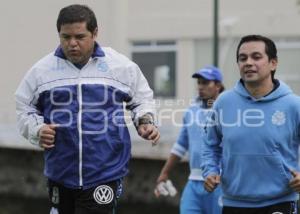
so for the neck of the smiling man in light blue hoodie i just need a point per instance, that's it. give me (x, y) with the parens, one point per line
(259, 90)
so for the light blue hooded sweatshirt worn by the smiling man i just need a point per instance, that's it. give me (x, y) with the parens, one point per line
(256, 142)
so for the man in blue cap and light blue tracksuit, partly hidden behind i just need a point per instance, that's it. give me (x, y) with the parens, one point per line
(195, 200)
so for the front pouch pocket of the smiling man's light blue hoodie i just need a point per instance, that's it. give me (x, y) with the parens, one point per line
(255, 177)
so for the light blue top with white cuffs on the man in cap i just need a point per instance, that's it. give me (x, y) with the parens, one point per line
(192, 136)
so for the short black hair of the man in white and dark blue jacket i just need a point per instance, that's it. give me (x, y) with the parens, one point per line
(77, 13)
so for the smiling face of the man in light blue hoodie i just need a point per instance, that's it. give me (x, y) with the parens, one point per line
(254, 63)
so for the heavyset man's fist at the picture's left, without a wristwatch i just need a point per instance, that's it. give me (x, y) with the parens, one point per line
(47, 136)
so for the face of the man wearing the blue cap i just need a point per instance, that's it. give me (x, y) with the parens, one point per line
(207, 89)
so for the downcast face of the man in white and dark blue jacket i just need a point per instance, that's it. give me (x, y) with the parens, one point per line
(77, 42)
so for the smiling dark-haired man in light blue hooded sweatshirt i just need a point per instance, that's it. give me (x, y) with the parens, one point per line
(253, 137)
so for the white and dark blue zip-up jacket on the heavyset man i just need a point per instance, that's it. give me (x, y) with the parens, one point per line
(92, 142)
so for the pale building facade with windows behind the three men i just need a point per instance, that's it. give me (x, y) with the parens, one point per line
(169, 39)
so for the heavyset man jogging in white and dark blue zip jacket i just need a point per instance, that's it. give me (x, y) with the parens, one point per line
(70, 103)
